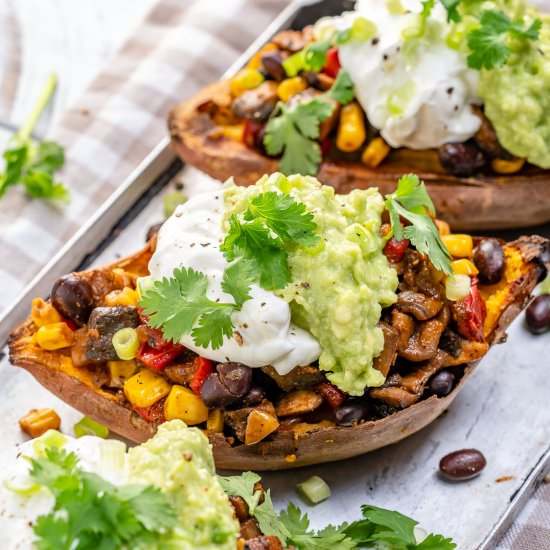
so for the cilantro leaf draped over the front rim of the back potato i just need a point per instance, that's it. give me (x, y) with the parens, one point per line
(293, 131)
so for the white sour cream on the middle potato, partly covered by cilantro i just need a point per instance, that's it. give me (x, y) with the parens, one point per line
(264, 334)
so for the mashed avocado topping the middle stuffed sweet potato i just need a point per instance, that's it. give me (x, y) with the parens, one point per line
(339, 288)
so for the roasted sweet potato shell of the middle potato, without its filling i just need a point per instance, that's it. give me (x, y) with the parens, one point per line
(527, 261)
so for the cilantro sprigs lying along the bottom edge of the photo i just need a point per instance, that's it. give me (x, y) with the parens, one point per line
(292, 527)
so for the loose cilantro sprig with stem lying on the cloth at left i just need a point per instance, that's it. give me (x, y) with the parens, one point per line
(33, 164)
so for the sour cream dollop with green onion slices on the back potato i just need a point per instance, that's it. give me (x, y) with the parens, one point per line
(417, 91)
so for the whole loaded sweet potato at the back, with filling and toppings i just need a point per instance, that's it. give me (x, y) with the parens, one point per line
(483, 167)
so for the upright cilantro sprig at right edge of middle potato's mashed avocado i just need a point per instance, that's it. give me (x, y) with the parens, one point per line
(411, 201)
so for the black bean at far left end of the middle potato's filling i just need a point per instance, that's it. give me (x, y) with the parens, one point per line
(73, 298)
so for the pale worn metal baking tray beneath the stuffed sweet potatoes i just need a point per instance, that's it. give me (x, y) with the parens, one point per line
(502, 410)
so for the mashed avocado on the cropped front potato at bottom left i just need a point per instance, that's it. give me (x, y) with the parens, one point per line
(178, 460)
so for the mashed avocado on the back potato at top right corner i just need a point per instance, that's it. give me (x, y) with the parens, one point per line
(516, 95)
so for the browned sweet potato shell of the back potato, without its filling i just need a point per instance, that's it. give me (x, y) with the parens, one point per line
(473, 203)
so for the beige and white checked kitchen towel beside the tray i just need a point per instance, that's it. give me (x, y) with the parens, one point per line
(179, 47)
